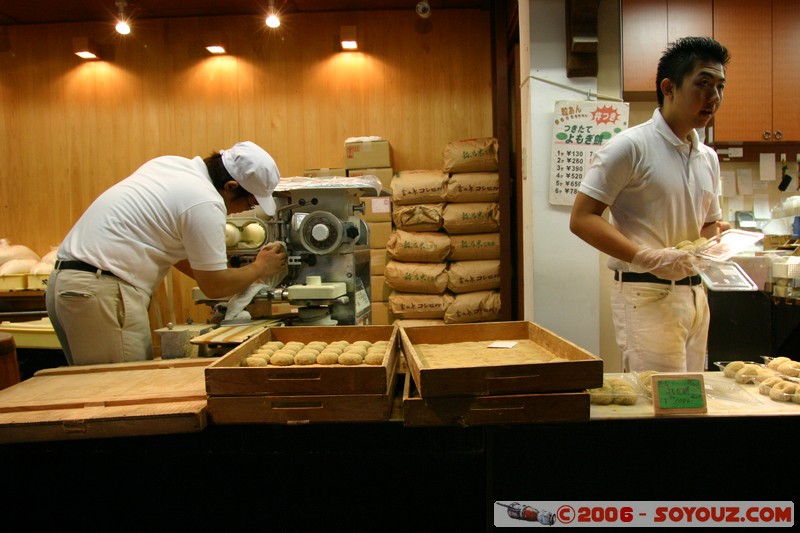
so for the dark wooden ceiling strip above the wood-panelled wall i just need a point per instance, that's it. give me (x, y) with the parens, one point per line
(17, 12)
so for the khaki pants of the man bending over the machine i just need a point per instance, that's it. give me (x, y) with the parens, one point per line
(98, 318)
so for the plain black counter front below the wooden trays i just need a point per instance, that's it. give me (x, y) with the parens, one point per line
(386, 477)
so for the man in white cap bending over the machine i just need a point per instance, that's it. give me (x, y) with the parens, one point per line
(170, 212)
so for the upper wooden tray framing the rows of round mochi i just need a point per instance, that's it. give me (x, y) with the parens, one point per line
(227, 377)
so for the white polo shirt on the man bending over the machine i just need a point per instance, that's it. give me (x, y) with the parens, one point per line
(166, 211)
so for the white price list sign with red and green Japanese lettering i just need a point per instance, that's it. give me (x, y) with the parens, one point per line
(579, 129)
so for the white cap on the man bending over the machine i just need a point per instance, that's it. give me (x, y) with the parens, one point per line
(255, 170)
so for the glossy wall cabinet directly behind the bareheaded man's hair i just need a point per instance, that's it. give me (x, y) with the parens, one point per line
(647, 27)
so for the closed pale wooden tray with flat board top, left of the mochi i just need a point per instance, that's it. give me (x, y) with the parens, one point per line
(95, 401)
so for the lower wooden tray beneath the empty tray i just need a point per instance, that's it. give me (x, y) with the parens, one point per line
(487, 410)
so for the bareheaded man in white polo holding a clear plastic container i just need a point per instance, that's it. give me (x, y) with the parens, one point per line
(661, 185)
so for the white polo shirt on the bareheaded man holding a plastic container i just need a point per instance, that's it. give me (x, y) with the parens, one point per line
(660, 190)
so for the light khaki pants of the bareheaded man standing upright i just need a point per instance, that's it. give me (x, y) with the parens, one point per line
(661, 327)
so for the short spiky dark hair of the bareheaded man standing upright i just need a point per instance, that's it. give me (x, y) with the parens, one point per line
(681, 56)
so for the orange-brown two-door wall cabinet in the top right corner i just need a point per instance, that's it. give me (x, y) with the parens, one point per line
(760, 96)
